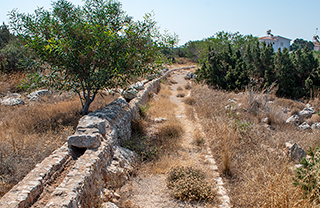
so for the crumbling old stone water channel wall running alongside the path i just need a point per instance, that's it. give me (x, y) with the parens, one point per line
(103, 163)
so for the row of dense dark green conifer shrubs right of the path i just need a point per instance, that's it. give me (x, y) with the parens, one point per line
(232, 67)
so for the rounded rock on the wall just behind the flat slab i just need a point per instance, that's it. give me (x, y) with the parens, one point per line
(91, 121)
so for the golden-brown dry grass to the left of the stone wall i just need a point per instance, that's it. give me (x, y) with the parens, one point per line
(29, 133)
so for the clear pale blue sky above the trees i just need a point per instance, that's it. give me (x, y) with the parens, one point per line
(198, 19)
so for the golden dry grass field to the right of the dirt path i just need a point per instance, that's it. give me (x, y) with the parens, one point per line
(250, 156)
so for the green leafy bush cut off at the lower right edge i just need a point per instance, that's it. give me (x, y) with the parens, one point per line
(308, 176)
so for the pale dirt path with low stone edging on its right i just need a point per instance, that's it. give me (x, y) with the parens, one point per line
(150, 190)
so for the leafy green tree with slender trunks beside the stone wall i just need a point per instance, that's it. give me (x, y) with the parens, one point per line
(91, 47)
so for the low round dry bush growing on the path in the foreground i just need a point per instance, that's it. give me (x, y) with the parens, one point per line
(189, 183)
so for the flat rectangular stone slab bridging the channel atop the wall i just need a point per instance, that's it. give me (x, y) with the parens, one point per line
(89, 141)
